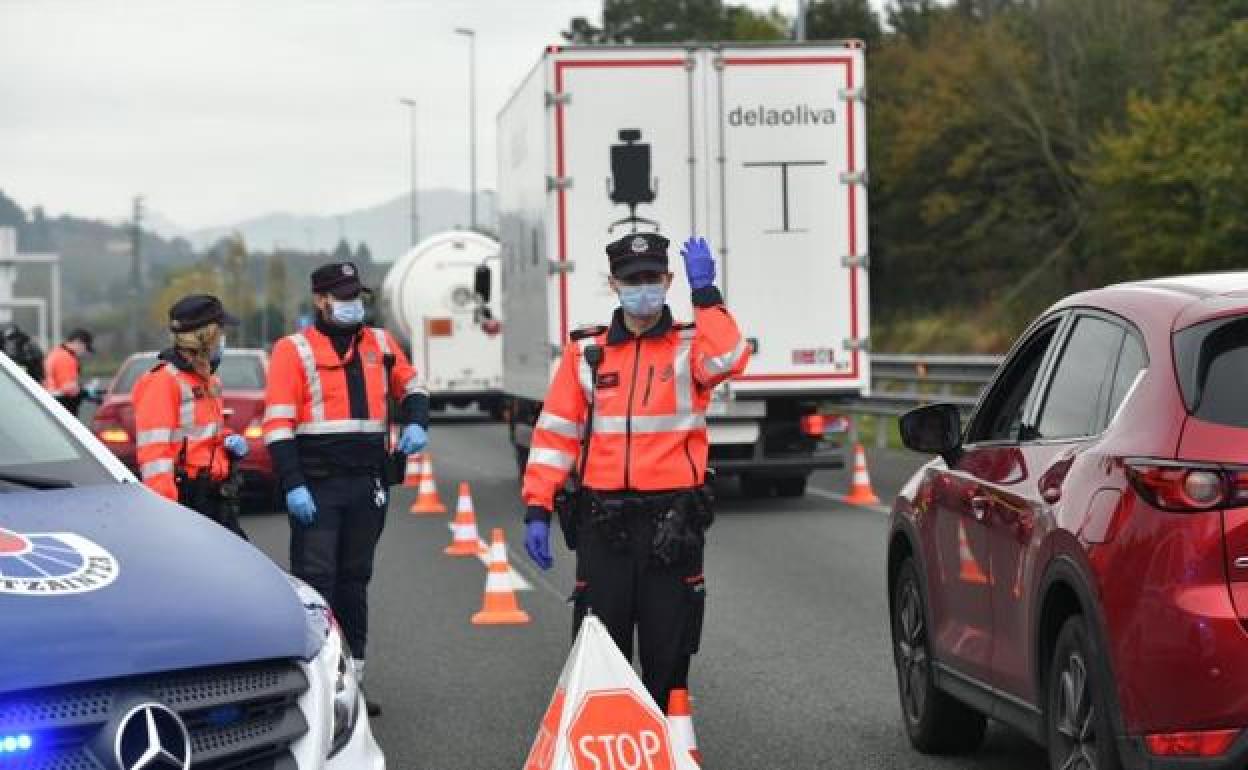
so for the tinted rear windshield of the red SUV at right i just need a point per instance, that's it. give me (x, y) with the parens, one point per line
(1212, 361)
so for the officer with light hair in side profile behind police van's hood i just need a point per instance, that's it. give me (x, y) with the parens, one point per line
(184, 449)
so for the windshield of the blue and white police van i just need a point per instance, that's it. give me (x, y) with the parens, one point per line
(34, 444)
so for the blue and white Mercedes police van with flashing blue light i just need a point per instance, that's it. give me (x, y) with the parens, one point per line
(138, 636)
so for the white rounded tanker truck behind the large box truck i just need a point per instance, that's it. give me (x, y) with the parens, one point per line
(454, 330)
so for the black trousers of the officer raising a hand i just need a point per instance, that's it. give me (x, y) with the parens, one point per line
(630, 591)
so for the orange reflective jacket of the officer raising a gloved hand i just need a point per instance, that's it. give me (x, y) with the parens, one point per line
(652, 394)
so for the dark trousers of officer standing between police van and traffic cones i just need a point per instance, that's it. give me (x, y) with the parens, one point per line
(335, 555)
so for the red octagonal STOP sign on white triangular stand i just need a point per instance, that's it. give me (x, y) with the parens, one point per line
(616, 731)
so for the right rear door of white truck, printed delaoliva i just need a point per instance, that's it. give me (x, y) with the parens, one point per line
(789, 130)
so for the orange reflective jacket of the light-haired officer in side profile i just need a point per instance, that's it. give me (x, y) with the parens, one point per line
(179, 411)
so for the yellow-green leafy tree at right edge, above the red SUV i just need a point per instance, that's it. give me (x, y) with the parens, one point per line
(1171, 192)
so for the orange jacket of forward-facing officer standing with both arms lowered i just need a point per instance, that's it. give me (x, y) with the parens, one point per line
(309, 395)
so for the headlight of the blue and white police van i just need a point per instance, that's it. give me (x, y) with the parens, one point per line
(329, 651)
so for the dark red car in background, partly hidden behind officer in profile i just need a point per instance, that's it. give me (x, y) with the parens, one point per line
(243, 373)
